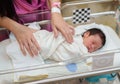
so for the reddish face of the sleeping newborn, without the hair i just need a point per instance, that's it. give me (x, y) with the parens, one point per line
(92, 42)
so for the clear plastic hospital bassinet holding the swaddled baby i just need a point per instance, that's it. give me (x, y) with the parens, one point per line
(97, 63)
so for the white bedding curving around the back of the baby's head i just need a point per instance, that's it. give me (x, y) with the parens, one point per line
(112, 39)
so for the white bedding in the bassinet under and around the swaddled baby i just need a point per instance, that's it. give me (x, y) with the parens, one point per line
(55, 70)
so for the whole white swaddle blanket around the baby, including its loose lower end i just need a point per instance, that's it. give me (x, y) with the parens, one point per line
(53, 48)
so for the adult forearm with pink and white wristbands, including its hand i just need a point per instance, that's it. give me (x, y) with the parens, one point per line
(58, 22)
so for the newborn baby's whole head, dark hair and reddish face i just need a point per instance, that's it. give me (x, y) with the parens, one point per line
(94, 39)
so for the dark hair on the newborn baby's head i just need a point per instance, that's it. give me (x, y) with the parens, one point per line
(94, 31)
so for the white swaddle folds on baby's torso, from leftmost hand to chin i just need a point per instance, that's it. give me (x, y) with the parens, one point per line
(57, 48)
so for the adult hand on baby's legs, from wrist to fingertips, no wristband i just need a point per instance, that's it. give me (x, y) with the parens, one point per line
(26, 40)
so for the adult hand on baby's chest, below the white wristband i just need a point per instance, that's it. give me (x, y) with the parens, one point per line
(58, 24)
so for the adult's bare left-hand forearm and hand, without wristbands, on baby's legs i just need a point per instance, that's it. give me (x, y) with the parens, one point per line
(23, 34)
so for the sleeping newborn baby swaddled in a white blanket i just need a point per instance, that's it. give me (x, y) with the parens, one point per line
(58, 49)
